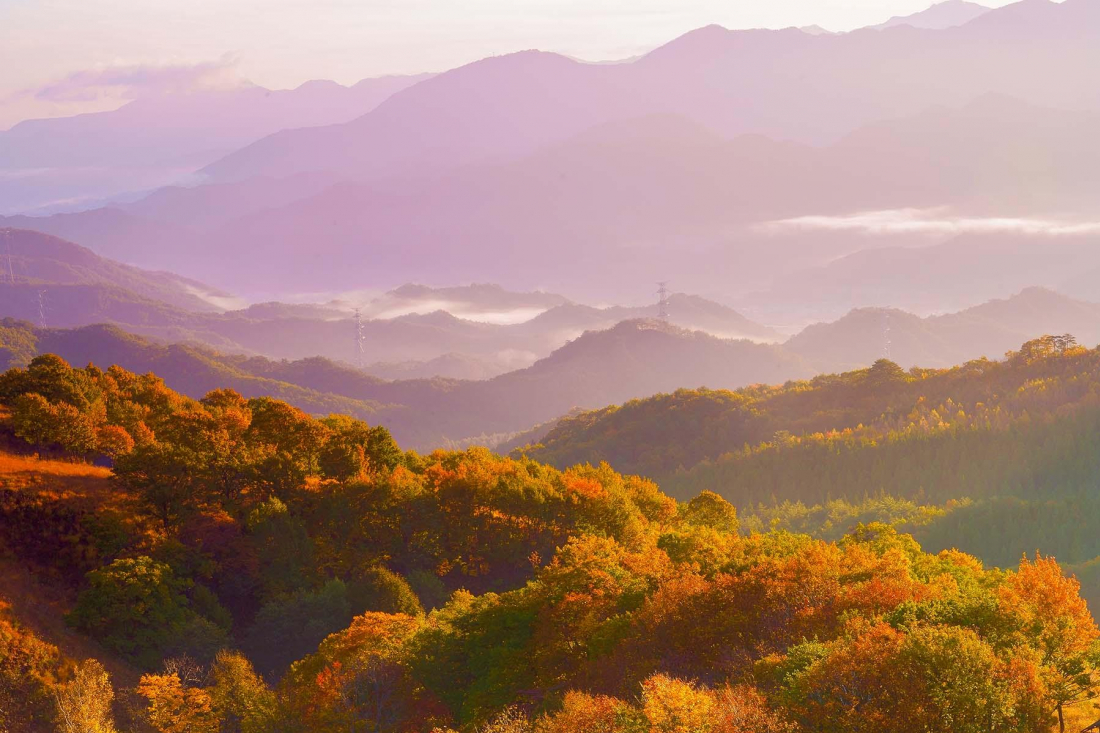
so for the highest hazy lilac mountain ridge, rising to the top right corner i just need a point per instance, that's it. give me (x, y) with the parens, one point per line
(508, 107)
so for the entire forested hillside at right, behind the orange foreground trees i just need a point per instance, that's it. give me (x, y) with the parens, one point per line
(997, 458)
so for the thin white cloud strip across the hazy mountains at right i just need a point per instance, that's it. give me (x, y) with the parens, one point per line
(930, 222)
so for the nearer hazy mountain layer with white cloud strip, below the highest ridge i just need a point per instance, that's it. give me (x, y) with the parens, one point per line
(652, 199)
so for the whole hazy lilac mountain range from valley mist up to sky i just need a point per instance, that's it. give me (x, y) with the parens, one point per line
(544, 172)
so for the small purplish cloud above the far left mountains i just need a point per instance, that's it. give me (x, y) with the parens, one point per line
(137, 81)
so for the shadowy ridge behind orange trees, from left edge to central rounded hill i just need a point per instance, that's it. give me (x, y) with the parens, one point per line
(634, 359)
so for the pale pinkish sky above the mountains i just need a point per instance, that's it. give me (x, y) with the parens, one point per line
(69, 57)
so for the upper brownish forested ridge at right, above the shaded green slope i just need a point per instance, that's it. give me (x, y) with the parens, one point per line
(669, 434)
